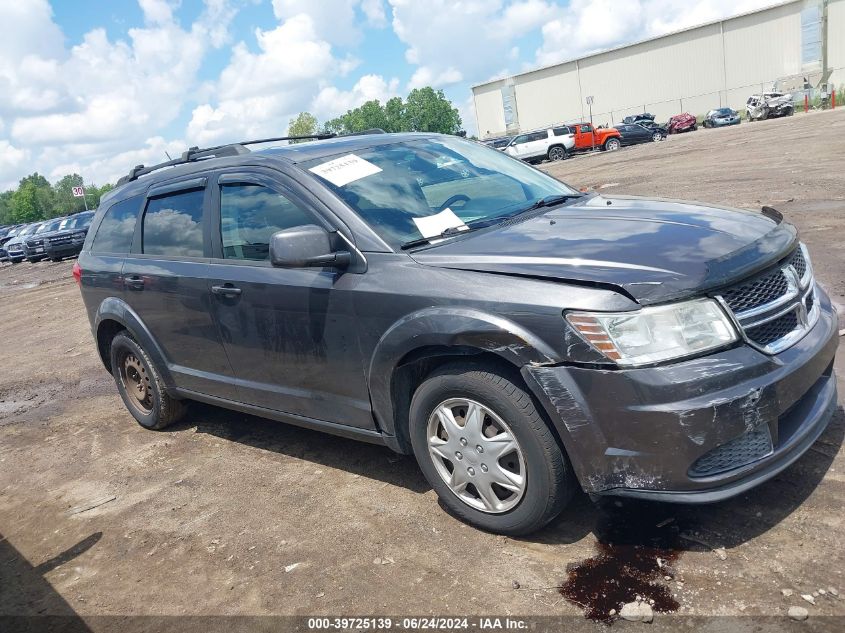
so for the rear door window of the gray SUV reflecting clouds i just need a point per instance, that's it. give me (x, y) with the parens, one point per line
(173, 225)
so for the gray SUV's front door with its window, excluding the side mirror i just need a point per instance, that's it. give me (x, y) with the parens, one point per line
(290, 334)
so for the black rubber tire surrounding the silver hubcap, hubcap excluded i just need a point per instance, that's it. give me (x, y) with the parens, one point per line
(531, 512)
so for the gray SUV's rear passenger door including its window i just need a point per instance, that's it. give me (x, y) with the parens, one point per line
(165, 278)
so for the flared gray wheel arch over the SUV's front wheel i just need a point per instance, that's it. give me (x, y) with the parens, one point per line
(447, 327)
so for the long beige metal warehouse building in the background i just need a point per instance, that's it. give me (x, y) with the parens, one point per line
(694, 70)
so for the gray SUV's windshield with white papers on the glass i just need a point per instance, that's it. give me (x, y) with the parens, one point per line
(399, 188)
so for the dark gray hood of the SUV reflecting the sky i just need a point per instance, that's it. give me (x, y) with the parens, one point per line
(653, 249)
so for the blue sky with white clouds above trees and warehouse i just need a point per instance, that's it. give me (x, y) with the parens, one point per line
(96, 86)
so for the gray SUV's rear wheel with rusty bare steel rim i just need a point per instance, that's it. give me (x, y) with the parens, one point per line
(131, 366)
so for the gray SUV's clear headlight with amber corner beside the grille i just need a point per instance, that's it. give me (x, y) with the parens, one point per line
(655, 334)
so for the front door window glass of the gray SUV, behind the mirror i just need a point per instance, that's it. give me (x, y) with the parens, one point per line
(250, 214)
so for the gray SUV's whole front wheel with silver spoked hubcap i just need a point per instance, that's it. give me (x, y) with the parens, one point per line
(546, 483)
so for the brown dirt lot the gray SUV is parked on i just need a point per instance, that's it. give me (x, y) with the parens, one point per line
(232, 515)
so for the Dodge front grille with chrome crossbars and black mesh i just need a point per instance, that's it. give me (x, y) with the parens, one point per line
(777, 308)
